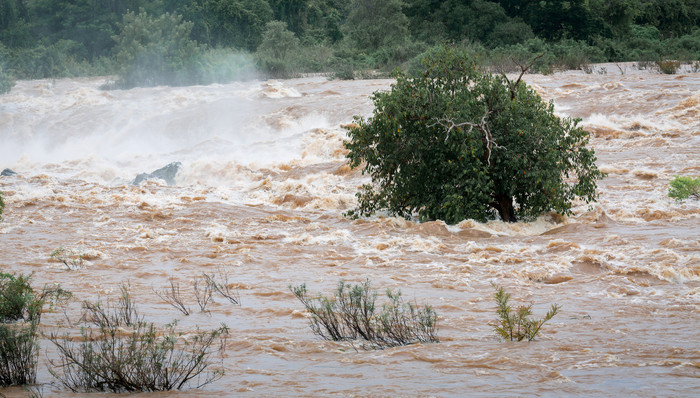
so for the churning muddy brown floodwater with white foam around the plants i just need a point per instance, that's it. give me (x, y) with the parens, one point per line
(261, 193)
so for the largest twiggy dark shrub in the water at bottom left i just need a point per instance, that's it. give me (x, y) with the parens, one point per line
(120, 352)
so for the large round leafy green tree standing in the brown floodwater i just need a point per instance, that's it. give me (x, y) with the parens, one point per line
(457, 143)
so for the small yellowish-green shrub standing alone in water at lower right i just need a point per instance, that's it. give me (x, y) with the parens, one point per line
(515, 324)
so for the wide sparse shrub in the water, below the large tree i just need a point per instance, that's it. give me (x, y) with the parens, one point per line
(353, 314)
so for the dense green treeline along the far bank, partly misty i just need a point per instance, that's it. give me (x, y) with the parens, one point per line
(148, 42)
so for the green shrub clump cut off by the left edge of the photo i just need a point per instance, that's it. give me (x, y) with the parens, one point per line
(20, 313)
